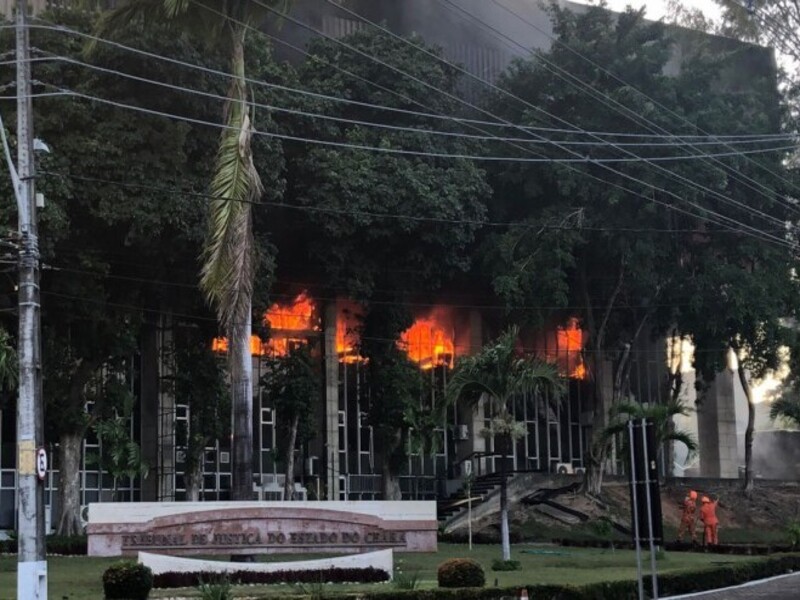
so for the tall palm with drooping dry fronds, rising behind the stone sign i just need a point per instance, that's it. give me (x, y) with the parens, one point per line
(228, 255)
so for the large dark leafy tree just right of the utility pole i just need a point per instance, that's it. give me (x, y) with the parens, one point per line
(107, 247)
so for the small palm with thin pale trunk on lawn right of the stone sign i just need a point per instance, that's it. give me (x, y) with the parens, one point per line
(498, 373)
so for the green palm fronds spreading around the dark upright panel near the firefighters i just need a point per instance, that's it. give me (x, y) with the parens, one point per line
(662, 417)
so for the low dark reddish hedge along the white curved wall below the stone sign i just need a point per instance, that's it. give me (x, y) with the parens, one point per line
(362, 575)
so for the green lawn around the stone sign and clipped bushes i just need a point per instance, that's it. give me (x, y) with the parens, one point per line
(78, 578)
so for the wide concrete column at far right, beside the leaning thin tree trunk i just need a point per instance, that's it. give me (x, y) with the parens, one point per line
(716, 424)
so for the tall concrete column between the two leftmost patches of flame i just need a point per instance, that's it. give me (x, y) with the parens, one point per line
(331, 361)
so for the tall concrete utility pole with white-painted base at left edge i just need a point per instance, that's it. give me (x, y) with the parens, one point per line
(32, 565)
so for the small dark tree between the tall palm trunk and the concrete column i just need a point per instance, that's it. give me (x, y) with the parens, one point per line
(292, 385)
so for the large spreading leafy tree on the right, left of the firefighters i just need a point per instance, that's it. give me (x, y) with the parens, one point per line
(623, 257)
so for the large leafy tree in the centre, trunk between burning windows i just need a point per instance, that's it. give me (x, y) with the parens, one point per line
(347, 233)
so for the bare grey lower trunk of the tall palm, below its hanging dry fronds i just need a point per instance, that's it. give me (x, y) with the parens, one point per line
(241, 372)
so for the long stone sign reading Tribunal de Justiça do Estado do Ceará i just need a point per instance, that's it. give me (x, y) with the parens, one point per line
(186, 528)
